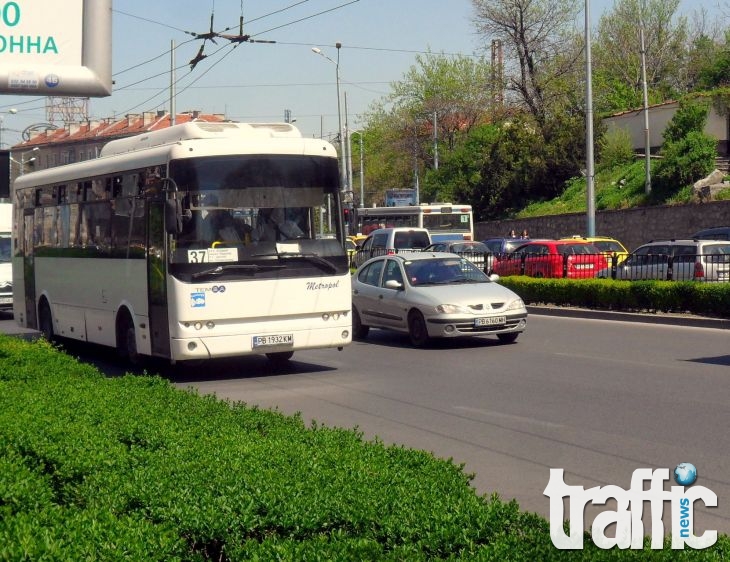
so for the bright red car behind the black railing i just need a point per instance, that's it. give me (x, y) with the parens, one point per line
(572, 259)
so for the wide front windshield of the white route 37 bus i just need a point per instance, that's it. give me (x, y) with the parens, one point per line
(250, 208)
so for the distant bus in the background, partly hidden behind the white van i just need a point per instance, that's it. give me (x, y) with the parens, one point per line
(444, 221)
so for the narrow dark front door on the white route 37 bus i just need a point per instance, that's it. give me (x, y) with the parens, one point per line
(157, 278)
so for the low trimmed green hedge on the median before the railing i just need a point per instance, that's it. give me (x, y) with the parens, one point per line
(711, 299)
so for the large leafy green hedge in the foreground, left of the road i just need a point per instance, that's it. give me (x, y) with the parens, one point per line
(130, 468)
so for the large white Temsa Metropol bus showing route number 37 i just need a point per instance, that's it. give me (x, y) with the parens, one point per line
(115, 250)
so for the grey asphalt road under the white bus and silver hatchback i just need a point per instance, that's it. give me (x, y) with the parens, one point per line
(597, 398)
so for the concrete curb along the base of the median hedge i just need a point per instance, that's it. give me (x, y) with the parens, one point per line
(688, 320)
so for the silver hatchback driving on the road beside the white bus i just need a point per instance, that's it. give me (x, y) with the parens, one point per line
(433, 295)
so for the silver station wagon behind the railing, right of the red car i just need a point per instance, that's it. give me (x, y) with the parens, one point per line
(676, 260)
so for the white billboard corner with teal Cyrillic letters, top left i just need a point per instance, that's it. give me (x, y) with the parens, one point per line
(56, 48)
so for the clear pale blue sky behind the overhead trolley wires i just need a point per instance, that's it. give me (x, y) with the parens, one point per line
(257, 82)
